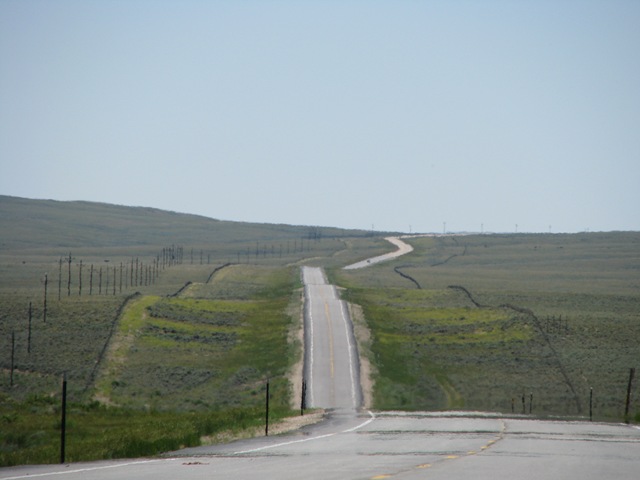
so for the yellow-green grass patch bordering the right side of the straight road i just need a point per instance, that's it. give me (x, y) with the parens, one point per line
(427, 356)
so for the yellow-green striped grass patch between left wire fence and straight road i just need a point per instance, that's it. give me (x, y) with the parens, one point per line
(199, 353)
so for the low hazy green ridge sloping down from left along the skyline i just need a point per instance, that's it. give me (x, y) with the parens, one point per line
(28, 223)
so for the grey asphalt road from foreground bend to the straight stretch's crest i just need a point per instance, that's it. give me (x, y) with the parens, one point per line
(354, 444)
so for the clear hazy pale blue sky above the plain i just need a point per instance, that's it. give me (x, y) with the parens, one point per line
(397, 114)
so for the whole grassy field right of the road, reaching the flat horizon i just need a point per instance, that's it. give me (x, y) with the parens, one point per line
(499, 317)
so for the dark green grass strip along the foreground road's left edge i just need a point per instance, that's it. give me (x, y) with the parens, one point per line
(30, 431)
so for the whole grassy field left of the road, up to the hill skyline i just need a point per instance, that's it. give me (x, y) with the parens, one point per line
(167, 326)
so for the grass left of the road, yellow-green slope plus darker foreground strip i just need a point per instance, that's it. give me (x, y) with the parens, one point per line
(177, 369)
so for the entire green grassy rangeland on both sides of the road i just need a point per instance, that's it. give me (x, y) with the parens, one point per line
(173, 324)
